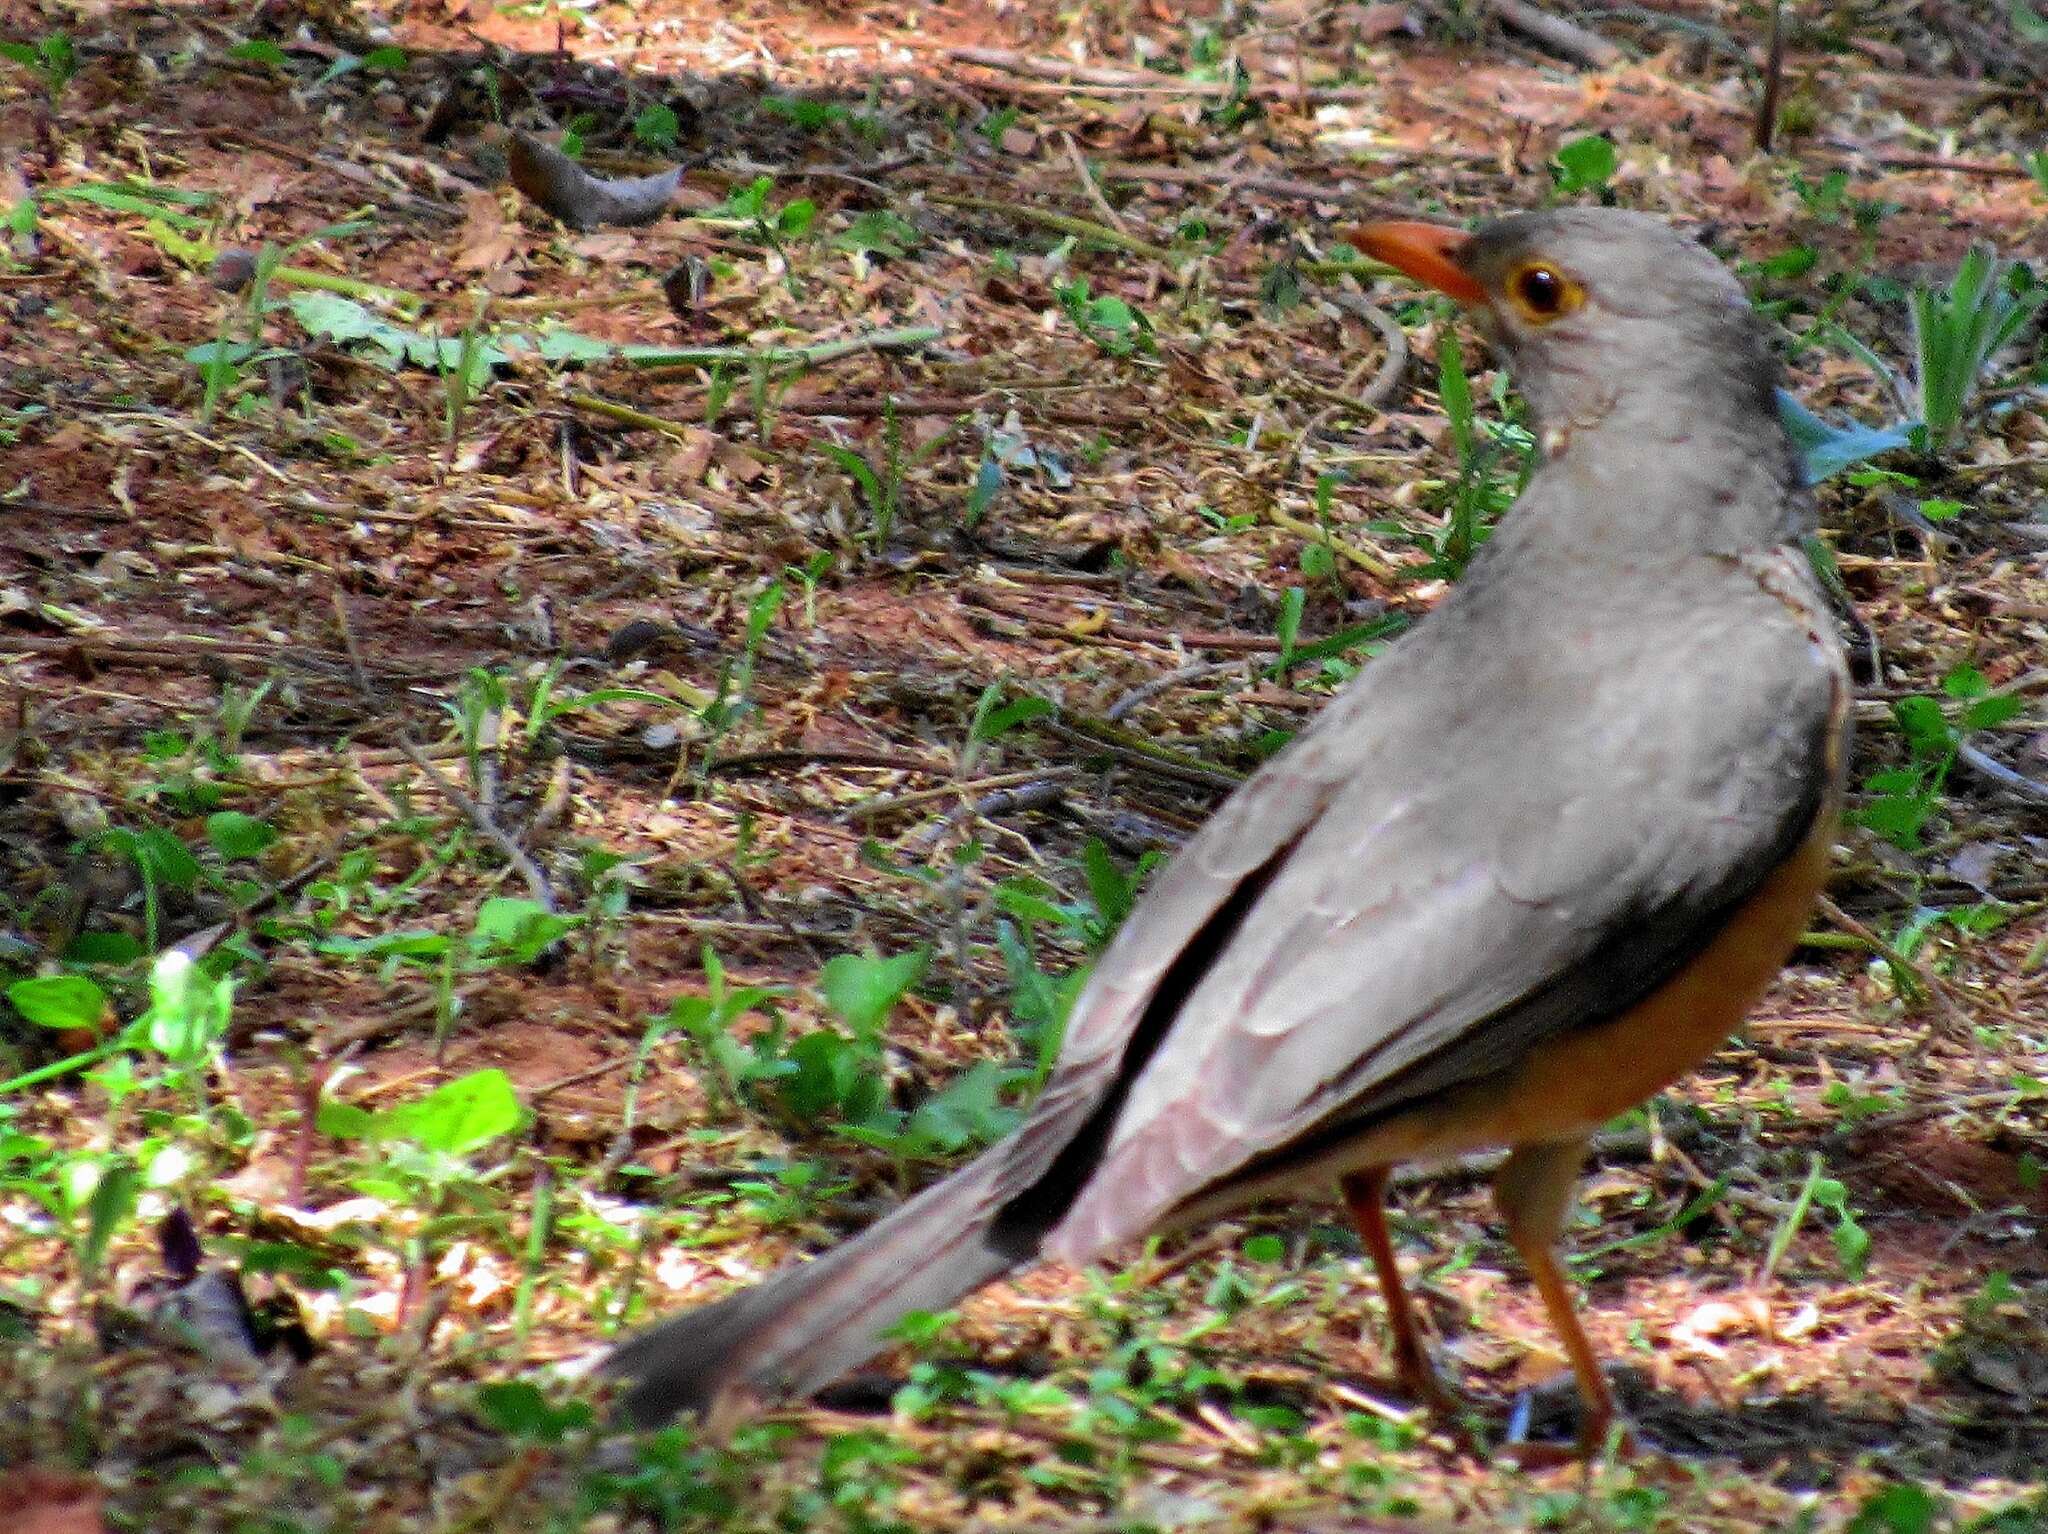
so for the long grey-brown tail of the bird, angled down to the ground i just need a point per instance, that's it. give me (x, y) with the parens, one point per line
(818, 1320)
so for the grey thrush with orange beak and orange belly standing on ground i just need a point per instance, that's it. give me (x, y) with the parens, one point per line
(1531, 867)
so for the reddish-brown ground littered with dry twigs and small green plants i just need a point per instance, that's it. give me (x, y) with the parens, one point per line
(652, 814)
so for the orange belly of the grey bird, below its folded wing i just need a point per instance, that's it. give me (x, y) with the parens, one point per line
(1580, 1080)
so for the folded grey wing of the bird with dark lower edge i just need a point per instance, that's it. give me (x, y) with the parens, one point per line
(1426, 890)
